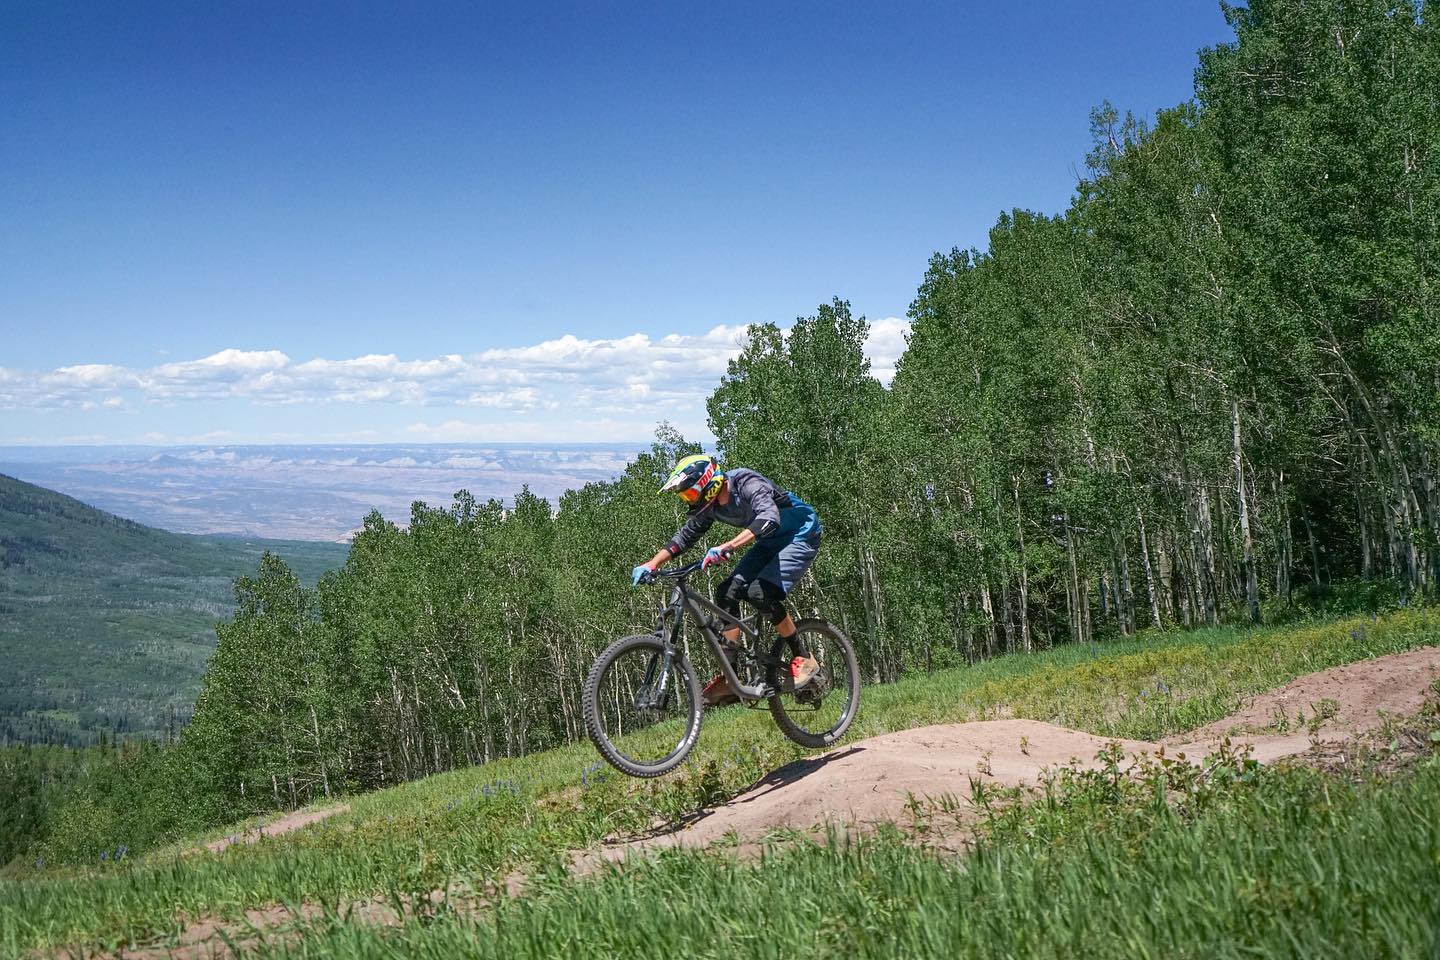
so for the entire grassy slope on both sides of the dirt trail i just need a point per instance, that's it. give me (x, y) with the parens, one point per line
(1288, 861)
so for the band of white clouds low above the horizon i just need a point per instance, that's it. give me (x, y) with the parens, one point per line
(626, 382)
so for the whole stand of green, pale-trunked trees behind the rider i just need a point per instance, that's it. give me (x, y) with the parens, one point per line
(1203, 394)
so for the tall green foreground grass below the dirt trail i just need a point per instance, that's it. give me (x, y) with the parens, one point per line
(1297, 864)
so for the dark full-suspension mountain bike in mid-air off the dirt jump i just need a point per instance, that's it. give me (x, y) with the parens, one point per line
(643, 702)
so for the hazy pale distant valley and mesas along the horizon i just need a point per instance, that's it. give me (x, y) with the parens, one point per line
(303, 493)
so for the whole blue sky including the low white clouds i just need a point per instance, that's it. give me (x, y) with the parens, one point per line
(482, 222)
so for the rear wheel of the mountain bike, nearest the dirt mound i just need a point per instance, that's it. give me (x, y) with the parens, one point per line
(820, 713)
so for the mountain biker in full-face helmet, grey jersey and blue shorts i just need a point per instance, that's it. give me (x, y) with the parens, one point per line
(784, 529)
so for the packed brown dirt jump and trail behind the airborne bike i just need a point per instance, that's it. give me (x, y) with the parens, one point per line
(875, 781)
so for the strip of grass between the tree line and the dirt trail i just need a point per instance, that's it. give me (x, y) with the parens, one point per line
(473, 827)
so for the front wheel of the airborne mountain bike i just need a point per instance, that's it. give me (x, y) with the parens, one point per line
(643, 706)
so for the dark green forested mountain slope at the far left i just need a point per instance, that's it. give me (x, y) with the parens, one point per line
(106, 624)
